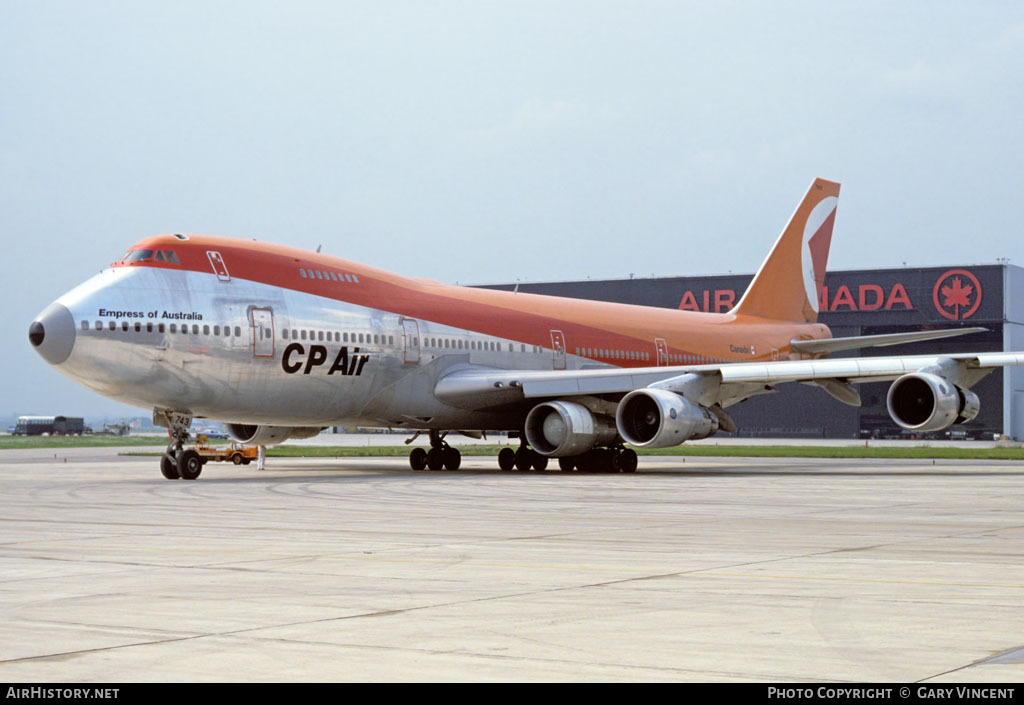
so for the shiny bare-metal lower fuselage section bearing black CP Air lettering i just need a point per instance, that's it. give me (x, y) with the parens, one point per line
(250, 353)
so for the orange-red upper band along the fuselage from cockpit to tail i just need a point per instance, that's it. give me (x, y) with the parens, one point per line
(526, 318)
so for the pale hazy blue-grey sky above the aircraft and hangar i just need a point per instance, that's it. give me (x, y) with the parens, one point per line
(489, 142)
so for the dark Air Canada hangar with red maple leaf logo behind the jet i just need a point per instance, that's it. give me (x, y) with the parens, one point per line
(862, 303)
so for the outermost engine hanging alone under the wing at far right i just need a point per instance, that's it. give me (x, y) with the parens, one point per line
(927, 402)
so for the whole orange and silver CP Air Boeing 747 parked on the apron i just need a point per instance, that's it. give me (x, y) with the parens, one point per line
(280, 343)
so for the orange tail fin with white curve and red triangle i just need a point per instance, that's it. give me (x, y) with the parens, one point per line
(787, 286)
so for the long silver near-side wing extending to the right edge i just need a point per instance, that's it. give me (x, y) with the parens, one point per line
(478, 388)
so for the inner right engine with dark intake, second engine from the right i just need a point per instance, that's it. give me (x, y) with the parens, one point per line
(659, 419)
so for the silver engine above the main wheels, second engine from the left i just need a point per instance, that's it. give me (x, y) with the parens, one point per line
(563, 429)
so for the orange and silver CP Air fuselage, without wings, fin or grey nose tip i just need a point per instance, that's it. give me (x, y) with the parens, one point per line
(244, 333)
